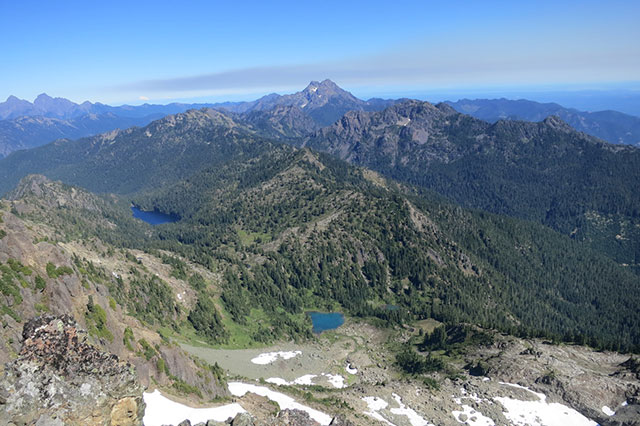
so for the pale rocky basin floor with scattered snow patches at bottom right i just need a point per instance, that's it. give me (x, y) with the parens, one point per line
(503, 380)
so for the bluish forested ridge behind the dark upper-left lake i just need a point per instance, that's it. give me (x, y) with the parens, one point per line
(131, 160)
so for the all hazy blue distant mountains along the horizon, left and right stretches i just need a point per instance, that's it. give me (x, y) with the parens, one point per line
(25, 125)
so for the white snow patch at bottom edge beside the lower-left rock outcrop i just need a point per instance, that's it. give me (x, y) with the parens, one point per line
(161, 411)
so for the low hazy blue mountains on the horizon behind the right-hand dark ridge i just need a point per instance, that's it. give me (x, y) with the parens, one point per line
(612, 126)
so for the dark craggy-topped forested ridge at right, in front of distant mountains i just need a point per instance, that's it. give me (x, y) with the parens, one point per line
(546, 172)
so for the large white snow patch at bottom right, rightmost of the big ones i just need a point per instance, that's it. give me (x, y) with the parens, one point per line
(541, 412)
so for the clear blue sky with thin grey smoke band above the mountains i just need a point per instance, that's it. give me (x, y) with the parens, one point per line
(136, 51)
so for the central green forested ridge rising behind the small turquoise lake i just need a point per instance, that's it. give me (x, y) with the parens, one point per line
(293, 231)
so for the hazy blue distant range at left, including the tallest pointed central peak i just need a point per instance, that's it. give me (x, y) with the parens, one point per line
(26, 125)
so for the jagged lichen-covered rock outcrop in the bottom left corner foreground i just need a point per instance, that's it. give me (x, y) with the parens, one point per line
(60, 379)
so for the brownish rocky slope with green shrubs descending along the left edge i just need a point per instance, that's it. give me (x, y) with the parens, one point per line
(49, 267)
